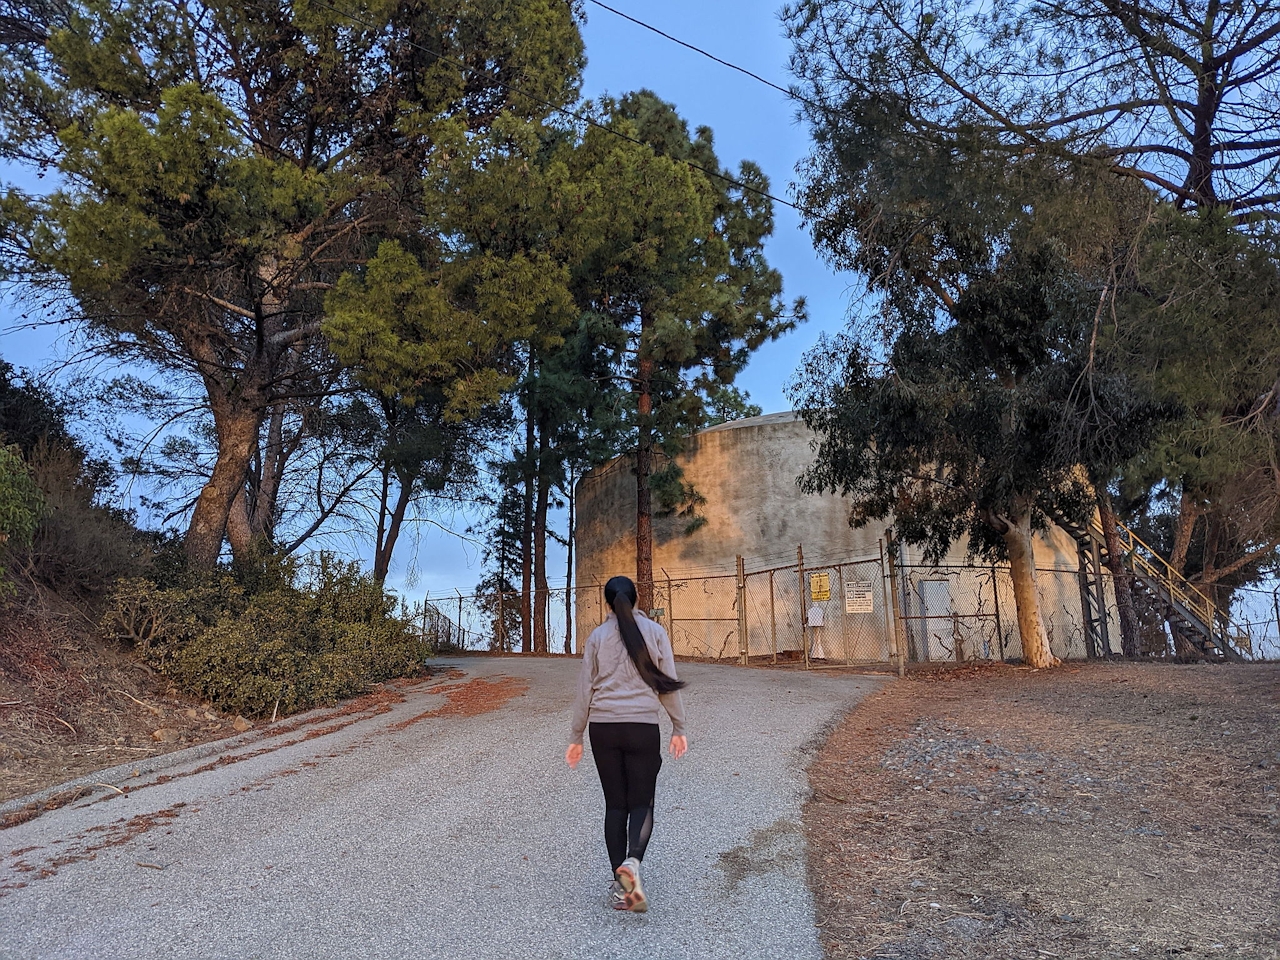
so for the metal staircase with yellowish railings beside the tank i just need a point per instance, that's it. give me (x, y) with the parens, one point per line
(1163, 597)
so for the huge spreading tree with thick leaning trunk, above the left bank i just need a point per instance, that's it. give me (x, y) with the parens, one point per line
(221, 166)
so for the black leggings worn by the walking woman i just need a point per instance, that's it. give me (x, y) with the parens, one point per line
(628, 757)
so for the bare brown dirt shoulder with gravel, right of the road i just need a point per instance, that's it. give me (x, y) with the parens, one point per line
(1100, 811)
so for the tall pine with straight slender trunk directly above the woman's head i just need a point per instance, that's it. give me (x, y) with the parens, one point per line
(678, 267)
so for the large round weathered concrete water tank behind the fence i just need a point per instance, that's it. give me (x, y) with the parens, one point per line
(747, 472)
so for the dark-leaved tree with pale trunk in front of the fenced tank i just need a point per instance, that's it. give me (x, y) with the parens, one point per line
(976, 427)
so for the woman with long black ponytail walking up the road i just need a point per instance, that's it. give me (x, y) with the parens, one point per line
(628, 673)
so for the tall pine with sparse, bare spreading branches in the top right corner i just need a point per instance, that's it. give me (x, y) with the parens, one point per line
(1177, 100)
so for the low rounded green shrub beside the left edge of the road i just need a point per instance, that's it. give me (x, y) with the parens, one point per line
(276, 632)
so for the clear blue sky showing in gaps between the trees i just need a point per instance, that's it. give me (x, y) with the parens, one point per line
(749, 122)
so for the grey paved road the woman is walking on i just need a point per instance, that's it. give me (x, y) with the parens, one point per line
(452, 836)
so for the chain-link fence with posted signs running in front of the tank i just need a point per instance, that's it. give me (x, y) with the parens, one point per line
(851, 612)
